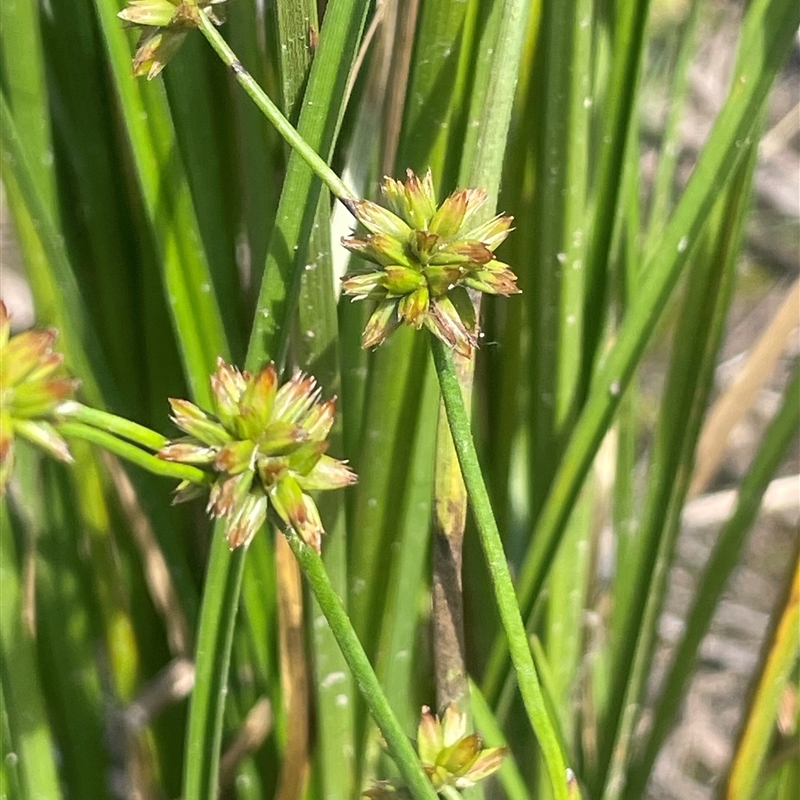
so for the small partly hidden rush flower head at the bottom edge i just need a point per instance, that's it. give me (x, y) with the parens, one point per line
(450, 756)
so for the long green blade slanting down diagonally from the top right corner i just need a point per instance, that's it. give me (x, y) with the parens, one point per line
(765, 43)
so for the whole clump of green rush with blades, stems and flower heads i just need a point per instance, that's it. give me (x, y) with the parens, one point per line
(195, 210)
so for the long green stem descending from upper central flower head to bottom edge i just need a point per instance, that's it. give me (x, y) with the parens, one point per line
(498, 567)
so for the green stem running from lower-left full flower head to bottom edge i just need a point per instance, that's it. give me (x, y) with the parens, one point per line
(329, 602)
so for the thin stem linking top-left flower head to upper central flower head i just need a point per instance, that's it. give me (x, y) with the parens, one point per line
(274, 115)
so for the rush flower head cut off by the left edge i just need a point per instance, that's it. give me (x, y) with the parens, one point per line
(32, 386)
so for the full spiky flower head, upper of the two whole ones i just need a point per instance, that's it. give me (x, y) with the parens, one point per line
(426, 258)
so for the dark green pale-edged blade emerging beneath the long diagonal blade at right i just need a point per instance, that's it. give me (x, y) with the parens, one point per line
(644, 578)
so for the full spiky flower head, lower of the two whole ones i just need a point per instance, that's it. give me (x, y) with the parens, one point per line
(266, 444)
